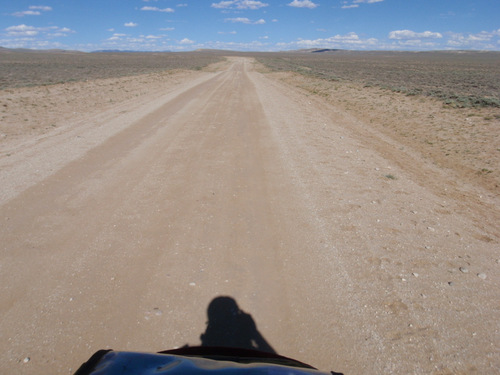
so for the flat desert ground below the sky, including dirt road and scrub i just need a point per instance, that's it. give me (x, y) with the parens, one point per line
(353, 217)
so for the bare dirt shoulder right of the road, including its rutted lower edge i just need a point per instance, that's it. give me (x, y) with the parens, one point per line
(459, 146)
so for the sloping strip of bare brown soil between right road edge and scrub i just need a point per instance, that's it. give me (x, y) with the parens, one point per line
(464, 140)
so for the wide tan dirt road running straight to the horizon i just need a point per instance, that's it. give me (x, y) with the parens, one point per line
(349, 253)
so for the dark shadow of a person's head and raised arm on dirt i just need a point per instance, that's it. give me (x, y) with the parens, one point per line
(229, 326)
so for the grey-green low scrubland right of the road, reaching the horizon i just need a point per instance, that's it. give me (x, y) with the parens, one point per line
(459, 79)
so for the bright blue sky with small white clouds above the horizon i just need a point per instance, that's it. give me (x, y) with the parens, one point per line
(250, 25)
